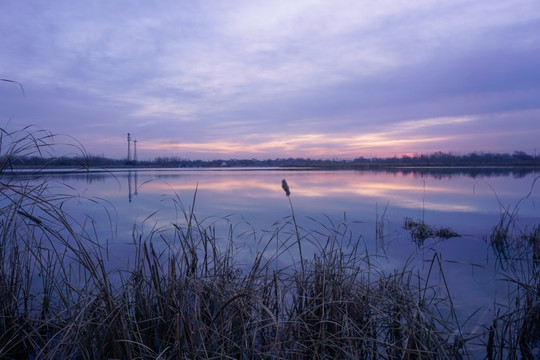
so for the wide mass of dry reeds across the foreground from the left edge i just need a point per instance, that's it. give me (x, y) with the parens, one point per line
(191, 300)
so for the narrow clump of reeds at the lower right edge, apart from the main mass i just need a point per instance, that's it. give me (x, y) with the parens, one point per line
(514, 332)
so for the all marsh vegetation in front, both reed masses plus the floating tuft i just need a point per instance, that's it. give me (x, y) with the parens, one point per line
(185, 294)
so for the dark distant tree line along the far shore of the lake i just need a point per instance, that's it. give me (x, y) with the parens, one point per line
(437, 159)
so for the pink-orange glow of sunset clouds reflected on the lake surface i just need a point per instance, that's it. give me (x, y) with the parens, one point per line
(334, 186)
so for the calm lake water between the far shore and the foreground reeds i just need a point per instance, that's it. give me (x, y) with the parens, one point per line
(252, 201)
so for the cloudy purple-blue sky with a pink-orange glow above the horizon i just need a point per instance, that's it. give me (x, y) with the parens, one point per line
(275, 79)
